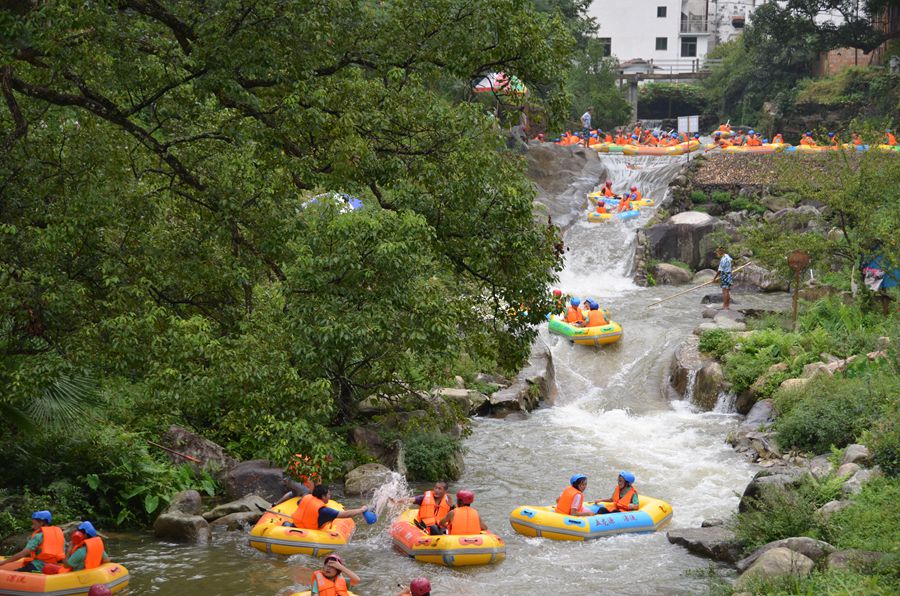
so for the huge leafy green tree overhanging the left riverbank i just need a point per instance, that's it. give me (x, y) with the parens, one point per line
(155, 160)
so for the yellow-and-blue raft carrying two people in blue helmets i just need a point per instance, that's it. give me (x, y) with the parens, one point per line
(544, 522)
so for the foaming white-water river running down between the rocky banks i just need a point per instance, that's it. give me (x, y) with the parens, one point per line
(613, 412)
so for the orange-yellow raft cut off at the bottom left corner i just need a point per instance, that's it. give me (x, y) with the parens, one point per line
(113, 575)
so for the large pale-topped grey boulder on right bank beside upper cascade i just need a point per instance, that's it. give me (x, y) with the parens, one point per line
(686, 237)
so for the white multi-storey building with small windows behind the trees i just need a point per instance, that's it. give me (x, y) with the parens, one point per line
(670, 35)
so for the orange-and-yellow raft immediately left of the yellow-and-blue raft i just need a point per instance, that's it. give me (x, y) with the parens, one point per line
(484, 548)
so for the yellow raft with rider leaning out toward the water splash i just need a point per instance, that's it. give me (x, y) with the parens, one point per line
(269, 535)
